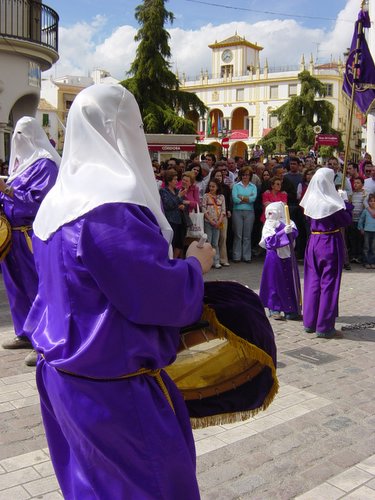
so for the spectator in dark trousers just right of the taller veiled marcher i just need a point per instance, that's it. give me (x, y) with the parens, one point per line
(355, 238)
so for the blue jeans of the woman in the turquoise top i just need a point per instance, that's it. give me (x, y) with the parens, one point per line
(243, 221)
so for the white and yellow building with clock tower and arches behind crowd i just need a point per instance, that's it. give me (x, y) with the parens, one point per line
(241, 95)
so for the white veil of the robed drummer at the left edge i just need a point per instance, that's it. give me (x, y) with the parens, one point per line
(29, 144)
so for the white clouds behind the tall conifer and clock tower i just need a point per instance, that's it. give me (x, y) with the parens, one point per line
(85, 46)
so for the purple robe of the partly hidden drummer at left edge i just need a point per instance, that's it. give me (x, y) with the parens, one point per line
(18, 268)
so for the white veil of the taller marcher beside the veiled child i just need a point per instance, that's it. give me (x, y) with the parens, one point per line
(321, 198)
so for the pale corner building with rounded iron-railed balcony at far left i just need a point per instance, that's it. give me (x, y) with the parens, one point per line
(28, 46)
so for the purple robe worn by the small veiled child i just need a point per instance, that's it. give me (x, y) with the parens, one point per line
(277, 285)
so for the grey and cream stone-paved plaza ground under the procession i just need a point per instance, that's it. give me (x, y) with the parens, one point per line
(315, 441)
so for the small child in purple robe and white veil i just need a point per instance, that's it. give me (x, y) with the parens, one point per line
(277, 288)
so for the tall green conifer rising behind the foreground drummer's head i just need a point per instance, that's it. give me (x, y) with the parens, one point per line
(162, 104)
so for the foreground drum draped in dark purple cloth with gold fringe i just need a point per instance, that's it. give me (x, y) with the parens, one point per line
(226, 367)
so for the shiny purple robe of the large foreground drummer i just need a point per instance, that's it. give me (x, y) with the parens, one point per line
(109, 303)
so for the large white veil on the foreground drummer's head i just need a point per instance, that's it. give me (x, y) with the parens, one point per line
(105, 160)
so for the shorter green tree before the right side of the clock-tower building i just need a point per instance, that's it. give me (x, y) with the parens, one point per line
(296, 117)
